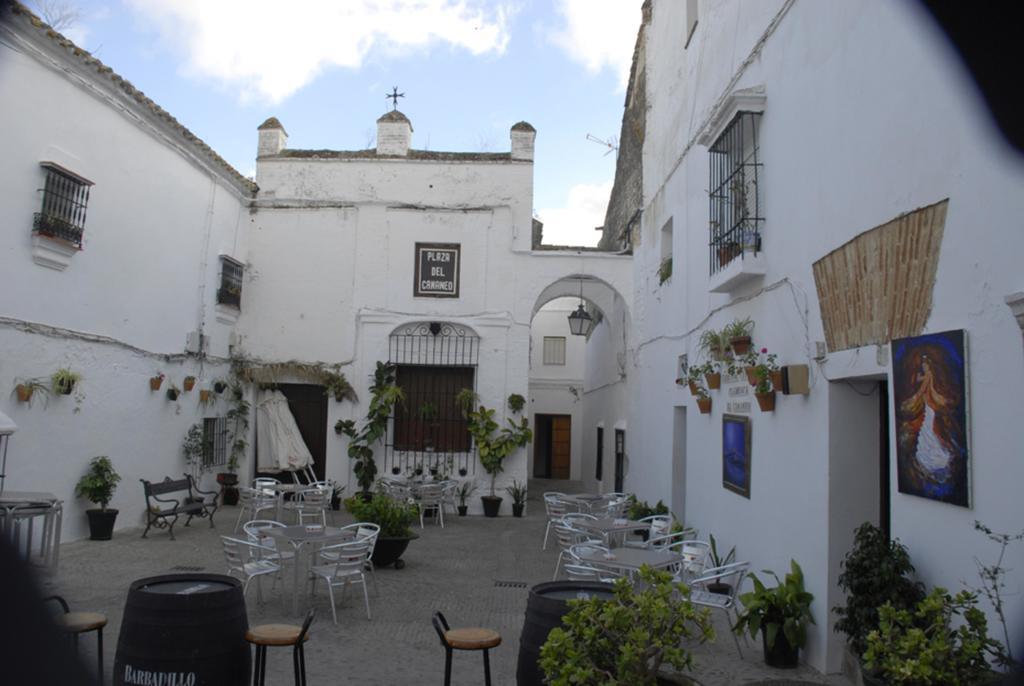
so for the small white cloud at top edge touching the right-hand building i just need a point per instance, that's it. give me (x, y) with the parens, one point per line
(601, 34)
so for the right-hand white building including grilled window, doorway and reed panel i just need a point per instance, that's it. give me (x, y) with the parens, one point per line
(886, 207)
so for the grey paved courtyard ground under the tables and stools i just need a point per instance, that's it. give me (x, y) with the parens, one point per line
(453, 570)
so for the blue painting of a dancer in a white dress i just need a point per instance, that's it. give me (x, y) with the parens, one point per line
(931, 404)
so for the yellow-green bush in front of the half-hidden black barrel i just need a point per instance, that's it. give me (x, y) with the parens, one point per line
(628, 639)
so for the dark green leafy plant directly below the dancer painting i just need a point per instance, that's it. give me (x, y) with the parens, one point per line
(876, 572)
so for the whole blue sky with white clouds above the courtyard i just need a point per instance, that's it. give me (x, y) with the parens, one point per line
(470, 69)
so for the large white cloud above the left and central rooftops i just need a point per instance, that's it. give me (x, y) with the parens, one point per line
(270, 50)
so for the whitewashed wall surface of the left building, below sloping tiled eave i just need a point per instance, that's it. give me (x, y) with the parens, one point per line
(159, 216)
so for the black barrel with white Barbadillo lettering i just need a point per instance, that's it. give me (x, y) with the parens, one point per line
(184, 630)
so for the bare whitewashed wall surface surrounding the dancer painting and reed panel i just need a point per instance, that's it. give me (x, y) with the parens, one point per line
(868, 117)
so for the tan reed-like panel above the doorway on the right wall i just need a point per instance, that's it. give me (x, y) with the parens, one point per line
(879, 286)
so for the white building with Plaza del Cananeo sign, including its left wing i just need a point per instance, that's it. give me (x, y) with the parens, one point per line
(154, 256)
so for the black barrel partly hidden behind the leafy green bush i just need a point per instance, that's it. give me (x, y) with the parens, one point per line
(548, 603)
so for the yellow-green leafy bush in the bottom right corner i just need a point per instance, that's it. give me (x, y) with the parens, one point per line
(921, 647)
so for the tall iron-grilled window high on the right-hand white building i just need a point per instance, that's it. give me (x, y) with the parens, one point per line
(736, 192)
